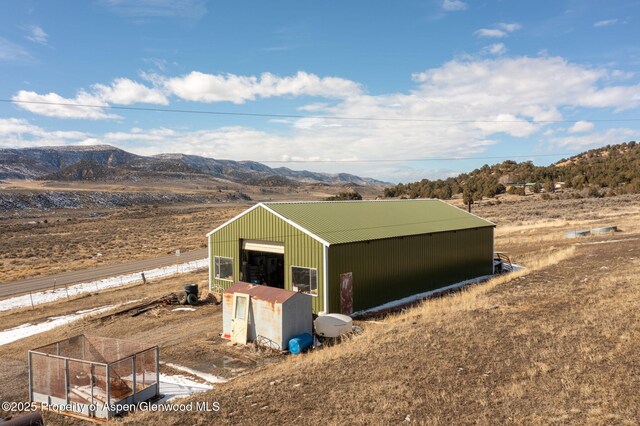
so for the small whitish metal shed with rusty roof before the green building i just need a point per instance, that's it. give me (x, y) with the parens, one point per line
(272, 313)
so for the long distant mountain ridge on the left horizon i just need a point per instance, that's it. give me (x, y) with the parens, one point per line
(108, 163)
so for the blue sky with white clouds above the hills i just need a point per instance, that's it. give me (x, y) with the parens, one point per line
(395, 90)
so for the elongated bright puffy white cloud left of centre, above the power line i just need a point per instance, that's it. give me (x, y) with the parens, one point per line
(201, 87)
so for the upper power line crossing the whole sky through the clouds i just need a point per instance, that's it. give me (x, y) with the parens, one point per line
(320, 117)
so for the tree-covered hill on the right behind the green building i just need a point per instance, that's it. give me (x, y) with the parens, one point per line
(613, 169)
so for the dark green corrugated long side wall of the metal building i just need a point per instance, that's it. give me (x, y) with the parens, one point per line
(390, 269)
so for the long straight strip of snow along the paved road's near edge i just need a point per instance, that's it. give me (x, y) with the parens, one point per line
(94, 286)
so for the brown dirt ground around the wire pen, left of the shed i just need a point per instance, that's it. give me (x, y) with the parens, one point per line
(186, 338)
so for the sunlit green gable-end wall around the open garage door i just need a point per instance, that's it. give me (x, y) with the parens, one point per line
(259, 224)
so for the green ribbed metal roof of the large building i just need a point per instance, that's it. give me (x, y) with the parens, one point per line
(338, 222)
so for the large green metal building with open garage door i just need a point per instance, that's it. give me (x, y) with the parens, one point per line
(351, 255)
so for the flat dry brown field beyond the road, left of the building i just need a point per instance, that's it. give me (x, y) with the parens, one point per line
(50, 242)
